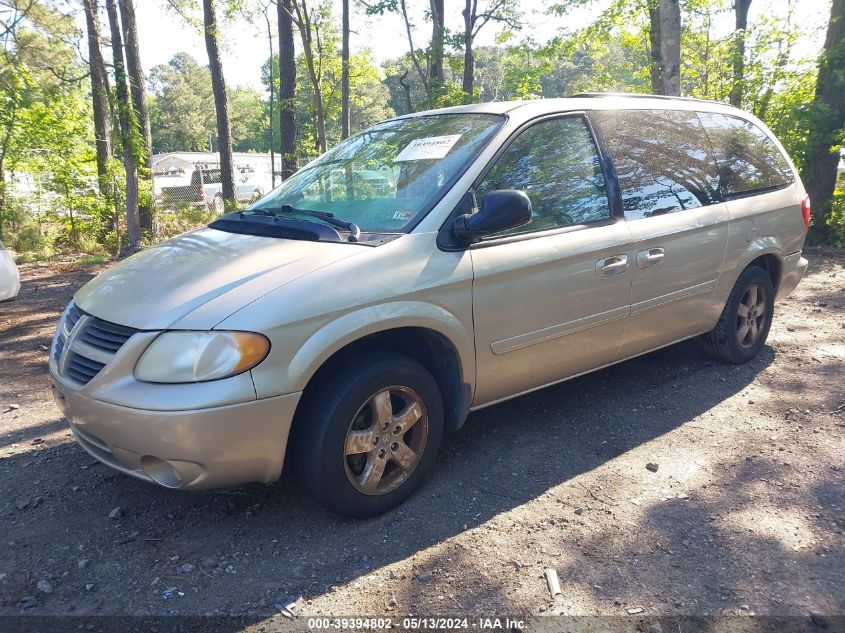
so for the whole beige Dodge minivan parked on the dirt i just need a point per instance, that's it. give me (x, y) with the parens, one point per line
(342, 327)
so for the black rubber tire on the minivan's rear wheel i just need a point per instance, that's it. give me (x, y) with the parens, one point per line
(730, 341)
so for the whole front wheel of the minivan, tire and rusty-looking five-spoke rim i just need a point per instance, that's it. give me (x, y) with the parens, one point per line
(367, 434)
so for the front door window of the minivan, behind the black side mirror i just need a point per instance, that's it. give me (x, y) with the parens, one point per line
(556, 163)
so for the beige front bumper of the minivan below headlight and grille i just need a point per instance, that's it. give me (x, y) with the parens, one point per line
(187, 449)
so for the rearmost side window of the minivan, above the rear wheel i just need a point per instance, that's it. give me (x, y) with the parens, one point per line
(748, 159)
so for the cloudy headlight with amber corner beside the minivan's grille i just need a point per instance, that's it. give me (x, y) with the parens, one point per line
(200, 356)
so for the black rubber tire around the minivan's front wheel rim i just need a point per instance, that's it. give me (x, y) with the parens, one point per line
(342, 399)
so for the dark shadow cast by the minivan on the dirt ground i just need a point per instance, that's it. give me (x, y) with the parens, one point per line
(247, 544)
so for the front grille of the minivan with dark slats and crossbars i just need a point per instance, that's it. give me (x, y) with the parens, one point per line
(82, 356)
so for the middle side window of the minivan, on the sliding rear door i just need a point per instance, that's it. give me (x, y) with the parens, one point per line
(663, 160)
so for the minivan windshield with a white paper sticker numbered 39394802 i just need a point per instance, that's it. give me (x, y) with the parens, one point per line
(385, 177)
